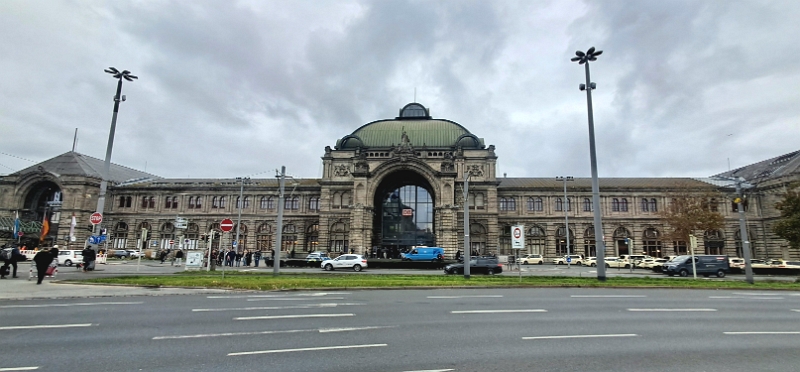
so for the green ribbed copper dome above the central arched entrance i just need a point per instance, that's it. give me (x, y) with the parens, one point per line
(415, 126)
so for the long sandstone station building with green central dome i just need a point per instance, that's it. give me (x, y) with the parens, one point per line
(389, 185)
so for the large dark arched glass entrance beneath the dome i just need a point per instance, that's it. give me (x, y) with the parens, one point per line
(404, 213)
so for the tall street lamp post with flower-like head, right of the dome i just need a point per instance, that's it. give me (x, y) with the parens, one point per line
(584, 58)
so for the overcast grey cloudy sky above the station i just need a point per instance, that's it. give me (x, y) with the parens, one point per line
(239, 88)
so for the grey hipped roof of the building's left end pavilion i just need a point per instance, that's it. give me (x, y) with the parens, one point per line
(75, 164)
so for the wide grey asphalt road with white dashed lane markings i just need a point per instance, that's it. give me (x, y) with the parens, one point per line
(564, 329)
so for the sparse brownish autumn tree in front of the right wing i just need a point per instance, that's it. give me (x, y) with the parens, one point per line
(691, 209)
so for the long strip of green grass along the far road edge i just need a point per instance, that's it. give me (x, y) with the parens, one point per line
(257, 281)
